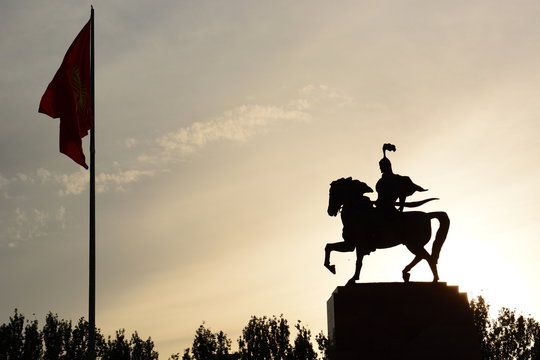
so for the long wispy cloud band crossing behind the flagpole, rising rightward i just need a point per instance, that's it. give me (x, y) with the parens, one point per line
(238, 125)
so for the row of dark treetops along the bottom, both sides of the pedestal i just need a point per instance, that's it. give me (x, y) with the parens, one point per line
(508, 336)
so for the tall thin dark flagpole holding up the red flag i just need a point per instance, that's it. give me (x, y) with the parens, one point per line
(92, 257)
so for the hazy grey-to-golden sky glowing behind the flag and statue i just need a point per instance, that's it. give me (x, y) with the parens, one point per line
(221, 124)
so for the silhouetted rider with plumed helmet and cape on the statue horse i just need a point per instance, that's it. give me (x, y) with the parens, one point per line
(392, 187)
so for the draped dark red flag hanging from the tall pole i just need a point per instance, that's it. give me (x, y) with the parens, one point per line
(68, 97)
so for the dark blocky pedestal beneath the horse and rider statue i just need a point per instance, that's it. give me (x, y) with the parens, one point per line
(401, 321)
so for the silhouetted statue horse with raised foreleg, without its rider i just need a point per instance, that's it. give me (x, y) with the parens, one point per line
(367, 229)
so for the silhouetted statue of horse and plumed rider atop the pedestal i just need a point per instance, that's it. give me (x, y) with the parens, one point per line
(380, 224)
